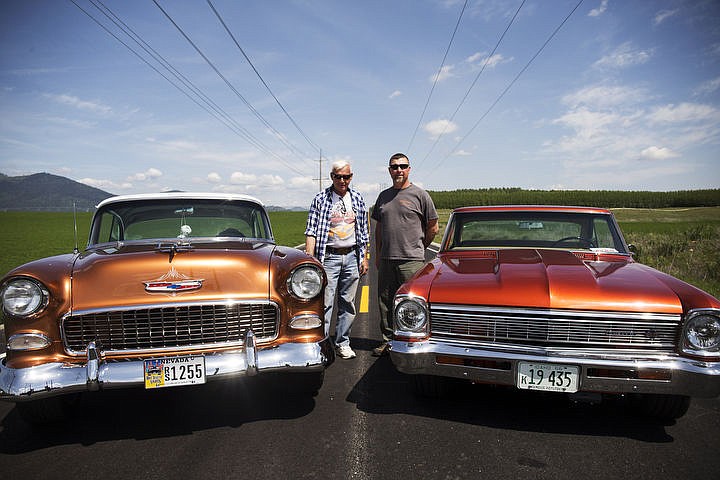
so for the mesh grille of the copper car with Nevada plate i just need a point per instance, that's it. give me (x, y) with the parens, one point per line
(170, 326)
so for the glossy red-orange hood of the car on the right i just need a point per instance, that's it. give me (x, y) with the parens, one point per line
(549, 279)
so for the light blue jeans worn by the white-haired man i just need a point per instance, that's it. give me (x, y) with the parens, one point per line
(343, 278)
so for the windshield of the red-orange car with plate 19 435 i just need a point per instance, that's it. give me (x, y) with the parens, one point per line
(535, 230)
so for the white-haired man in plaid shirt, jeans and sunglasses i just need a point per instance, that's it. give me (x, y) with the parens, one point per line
(337, 235)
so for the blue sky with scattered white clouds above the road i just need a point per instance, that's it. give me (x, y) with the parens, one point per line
(624, 95)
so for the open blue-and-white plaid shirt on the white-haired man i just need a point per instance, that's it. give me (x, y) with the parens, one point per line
(318, 224)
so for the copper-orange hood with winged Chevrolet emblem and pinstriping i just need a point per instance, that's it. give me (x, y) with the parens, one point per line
(144, 274)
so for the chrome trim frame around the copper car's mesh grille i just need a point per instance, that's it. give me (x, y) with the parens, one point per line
(158, 307)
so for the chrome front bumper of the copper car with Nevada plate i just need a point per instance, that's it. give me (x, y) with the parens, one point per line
(51, 379)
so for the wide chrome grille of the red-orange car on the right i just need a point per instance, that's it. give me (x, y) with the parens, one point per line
(555, 328)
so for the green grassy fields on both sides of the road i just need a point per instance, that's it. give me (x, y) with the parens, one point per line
(682, 242)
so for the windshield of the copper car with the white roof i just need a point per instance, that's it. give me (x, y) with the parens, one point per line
(178, 218)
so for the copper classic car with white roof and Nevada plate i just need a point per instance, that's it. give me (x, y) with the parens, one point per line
(172, 289)
